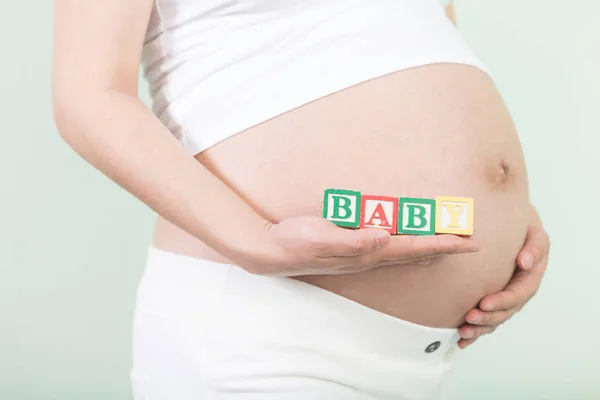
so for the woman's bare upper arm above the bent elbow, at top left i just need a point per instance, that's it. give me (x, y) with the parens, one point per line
(97, 45)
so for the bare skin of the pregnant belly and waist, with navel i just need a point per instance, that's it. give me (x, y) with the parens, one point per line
(440, 129)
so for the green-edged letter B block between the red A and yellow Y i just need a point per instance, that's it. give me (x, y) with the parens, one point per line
(416, 216)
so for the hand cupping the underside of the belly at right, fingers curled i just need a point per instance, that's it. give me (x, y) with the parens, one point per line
(497, 308)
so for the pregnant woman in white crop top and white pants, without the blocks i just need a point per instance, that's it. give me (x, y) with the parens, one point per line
(258, 107)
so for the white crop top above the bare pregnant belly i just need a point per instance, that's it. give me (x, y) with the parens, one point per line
(218, 67)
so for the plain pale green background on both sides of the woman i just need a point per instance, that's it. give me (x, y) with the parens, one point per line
(72, 243)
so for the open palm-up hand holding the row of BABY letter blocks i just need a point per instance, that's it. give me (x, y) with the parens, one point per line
(309, 245)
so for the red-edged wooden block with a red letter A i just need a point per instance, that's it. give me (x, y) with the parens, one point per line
(379, 212)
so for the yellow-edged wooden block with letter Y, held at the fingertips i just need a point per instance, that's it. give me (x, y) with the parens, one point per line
(454, 215)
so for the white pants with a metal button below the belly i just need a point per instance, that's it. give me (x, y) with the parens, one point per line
(206, 330)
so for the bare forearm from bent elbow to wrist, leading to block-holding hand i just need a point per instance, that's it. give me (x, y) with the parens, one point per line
(119, 136)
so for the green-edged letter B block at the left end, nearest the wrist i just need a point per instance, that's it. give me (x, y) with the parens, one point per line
(342, 207)
